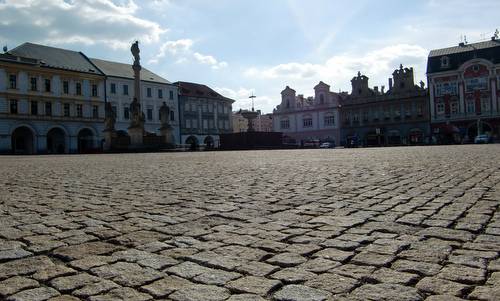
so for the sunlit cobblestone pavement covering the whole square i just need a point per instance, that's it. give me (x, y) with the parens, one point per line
(419, 223)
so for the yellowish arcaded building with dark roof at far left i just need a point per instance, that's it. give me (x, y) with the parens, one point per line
(51, 101)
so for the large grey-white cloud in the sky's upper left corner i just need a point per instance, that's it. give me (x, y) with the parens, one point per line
(88, 22)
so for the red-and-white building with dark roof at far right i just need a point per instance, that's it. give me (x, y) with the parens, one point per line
(464, 86)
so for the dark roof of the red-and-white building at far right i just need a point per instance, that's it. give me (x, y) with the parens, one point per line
(458, 55)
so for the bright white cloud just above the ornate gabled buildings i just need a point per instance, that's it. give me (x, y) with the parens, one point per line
(377, 64)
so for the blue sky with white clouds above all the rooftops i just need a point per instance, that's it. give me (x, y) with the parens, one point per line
(240, 47)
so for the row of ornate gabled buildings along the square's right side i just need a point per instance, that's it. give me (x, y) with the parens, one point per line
(462, 100)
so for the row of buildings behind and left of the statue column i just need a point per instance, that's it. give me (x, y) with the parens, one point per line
(52, 100)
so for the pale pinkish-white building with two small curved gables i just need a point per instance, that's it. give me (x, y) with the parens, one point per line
(304, 119)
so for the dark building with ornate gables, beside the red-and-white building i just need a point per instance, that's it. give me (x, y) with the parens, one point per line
(376, 117)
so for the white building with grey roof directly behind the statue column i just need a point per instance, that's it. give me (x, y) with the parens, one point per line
(154, 91)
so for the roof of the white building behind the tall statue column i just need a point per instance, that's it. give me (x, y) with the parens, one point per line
(125, 70)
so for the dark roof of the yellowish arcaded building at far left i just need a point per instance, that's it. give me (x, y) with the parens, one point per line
(56, 57)
